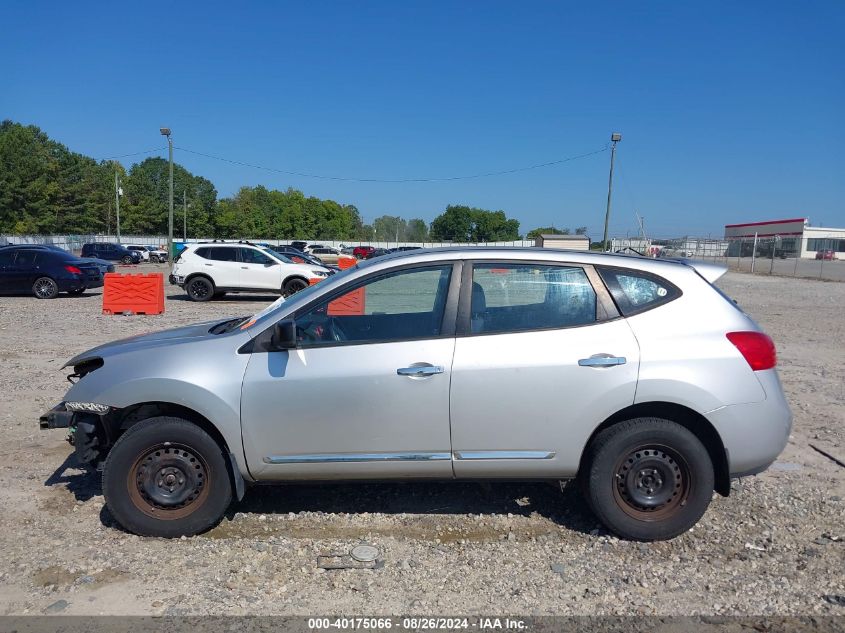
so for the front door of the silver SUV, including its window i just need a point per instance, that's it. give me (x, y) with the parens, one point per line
(366, 392)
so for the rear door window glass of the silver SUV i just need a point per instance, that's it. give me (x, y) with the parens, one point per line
(522, 297)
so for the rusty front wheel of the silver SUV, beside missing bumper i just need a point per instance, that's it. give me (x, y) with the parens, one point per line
(161, 451)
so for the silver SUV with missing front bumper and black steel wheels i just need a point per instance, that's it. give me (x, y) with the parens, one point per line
(635, 375)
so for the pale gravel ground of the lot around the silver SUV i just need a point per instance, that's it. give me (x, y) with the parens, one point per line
(776, 546)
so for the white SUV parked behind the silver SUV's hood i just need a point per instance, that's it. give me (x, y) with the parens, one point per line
(208, 270)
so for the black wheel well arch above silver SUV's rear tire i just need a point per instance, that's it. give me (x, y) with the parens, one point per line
(690, 420)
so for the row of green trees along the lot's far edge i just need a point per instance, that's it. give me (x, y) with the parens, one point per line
(45, 188)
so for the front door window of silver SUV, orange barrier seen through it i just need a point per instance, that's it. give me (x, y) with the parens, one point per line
(402, 305)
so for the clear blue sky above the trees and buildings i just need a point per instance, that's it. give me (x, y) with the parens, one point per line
(730, 111)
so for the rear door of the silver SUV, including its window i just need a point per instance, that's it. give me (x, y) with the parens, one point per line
(542, 358)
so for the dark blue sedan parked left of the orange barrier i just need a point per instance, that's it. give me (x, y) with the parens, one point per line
(45, 272)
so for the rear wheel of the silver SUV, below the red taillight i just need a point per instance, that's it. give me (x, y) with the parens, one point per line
(630, 471)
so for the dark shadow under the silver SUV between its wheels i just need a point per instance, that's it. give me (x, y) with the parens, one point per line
(566, 508)
